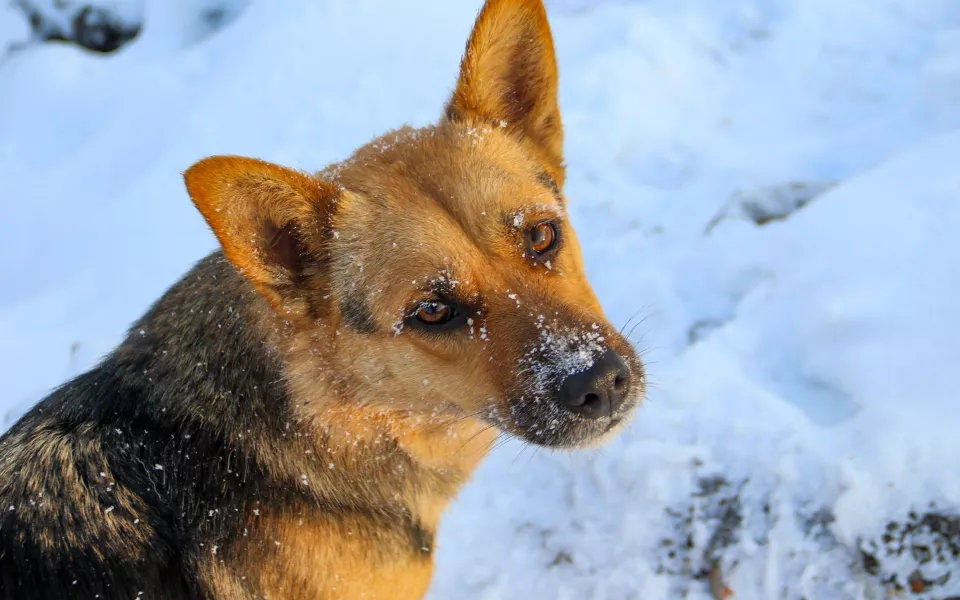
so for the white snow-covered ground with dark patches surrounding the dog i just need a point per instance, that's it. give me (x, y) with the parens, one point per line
(773, 184)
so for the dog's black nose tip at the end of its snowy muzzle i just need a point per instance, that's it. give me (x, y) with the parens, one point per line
(600, 390)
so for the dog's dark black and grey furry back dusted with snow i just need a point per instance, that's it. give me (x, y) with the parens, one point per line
(116, 479)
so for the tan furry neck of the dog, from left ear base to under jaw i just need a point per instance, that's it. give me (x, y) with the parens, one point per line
(422, 456)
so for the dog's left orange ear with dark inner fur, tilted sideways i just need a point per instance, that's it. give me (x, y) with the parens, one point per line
(269, 219)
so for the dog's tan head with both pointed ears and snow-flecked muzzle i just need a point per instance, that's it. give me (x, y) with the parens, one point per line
(436, 271)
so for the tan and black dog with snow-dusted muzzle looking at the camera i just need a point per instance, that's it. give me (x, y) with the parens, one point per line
(291, 419)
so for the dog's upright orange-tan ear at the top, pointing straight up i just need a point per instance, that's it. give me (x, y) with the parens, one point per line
(509, 74)
